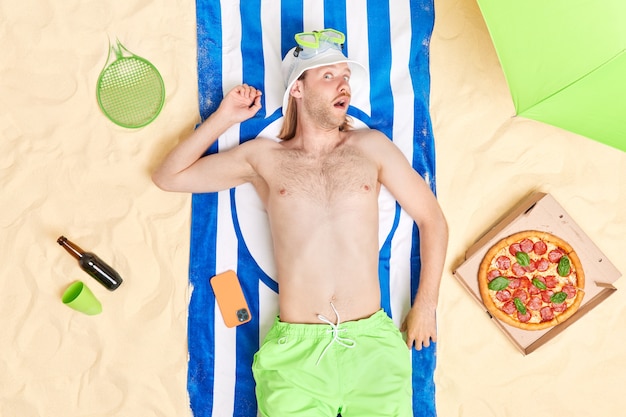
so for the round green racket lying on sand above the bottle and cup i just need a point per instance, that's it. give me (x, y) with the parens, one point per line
(130, 89)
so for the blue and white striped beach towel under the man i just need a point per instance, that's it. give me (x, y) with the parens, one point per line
(244, 41)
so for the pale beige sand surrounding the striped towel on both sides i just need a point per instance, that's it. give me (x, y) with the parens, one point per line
(66, 169)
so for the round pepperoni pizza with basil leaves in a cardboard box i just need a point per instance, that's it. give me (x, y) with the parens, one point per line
(531, 280)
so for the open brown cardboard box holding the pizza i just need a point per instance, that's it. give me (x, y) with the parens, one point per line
(540, 211)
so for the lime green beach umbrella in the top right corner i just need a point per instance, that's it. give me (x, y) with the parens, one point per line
(564, 62)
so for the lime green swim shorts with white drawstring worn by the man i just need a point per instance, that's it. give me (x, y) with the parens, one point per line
(362, 369)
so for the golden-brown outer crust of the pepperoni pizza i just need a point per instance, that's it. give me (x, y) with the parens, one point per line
(501, 248)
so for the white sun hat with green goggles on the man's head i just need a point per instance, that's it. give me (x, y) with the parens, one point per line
(318, 49)
